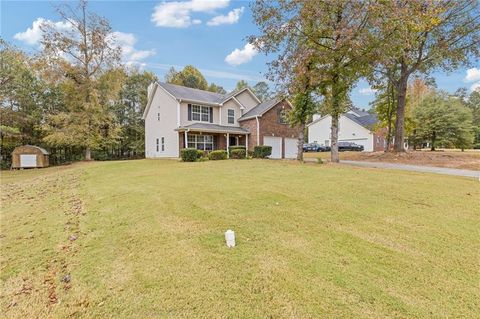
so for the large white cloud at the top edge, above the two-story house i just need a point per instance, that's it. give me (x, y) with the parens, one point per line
(177, 14)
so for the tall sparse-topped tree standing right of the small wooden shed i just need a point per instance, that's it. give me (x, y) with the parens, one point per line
(89, 49)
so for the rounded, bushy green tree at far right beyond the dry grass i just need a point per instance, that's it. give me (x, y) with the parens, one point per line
(442, 119)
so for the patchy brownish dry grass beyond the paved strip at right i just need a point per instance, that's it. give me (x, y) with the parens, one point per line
(442, 158)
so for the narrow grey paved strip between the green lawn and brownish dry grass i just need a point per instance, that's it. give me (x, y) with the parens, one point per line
(417, 168)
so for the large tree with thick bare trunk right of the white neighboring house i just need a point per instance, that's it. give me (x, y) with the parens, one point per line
(421, 36)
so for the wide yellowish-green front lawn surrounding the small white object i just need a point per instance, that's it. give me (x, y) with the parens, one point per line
(314, 241)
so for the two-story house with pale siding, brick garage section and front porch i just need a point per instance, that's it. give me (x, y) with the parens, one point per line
(177, 117)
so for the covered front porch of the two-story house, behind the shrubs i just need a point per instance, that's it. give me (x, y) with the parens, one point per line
(212, 138)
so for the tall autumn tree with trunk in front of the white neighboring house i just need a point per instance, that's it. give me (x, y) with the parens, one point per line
(331, 38)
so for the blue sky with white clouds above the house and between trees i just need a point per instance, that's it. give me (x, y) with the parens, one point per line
(208, 34)
